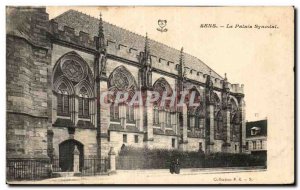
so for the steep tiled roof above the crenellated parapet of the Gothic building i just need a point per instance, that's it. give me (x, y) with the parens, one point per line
(82, 22)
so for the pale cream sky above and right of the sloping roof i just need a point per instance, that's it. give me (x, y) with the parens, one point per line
(261, 59)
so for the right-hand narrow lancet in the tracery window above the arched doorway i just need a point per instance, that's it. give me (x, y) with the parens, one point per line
(83, 104)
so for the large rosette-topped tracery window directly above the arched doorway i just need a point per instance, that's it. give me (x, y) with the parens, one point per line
(73, 90)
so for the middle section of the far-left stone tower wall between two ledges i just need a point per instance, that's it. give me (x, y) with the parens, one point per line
(26, 82)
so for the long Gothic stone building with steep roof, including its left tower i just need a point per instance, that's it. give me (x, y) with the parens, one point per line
(57, 68)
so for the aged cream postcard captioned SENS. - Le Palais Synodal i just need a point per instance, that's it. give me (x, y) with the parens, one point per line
(150, 95)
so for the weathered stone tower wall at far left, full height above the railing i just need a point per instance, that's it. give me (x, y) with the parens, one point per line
(28, 56)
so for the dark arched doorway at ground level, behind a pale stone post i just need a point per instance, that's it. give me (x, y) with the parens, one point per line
(66, 156)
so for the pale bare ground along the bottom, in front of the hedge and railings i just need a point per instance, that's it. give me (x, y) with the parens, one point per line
(162, 176)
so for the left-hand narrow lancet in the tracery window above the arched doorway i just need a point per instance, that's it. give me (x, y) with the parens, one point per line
(63, 105)
